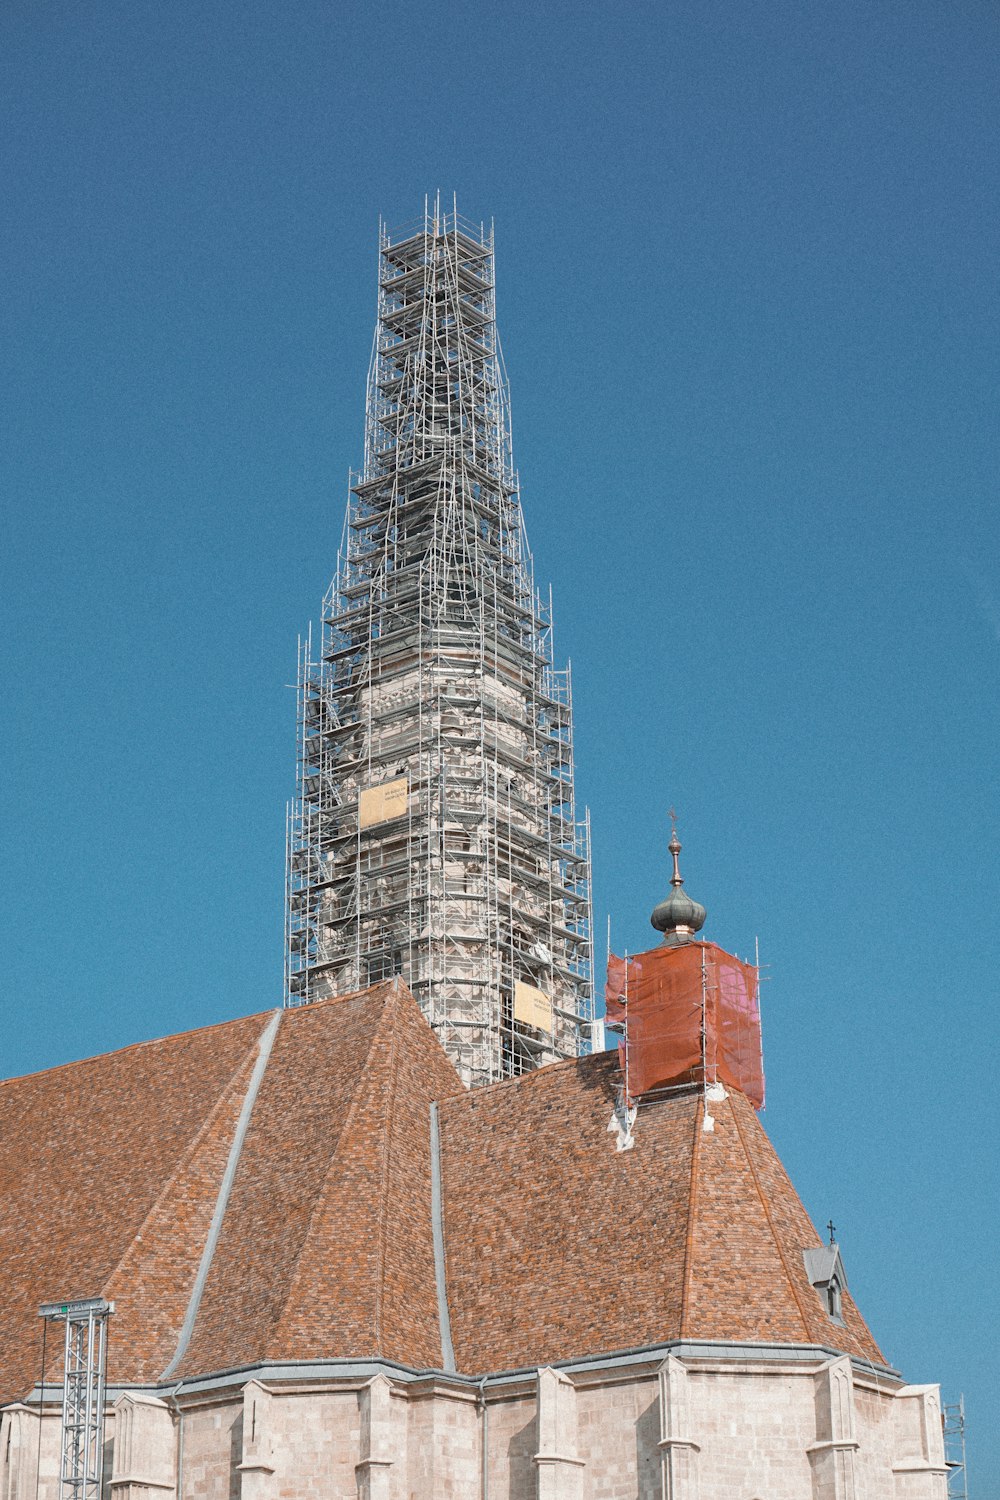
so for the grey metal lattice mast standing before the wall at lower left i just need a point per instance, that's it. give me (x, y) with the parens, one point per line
(82, 1462)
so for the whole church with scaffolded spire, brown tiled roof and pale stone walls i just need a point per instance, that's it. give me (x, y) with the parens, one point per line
(415, 1235)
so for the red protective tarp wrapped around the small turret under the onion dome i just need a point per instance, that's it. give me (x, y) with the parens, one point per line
(690, 1015)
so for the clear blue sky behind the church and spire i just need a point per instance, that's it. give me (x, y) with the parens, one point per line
(747, 278)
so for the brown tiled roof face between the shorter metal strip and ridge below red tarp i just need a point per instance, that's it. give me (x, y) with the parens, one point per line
(557, 1244)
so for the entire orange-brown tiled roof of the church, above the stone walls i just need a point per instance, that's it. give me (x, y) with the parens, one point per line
(557, 1246)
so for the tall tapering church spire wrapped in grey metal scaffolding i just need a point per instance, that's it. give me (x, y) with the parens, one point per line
(434, 832)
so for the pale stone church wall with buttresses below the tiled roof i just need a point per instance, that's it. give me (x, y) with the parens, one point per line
(692, 1424)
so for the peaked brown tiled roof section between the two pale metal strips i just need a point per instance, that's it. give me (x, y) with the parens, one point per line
(326, 1249)
